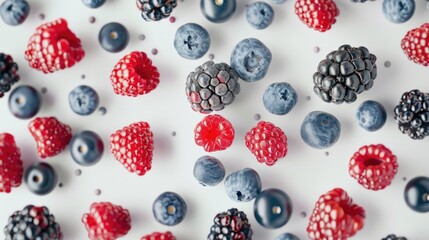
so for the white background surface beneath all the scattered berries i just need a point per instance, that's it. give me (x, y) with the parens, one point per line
(304, 173)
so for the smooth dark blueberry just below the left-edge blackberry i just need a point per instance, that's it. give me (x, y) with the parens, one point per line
(24, 102)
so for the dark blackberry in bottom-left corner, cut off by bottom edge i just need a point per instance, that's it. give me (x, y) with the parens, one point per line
(32, 223)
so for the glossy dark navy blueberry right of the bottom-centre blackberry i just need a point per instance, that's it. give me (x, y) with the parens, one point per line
(272, 208)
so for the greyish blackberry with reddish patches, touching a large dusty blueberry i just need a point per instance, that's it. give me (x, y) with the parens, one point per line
(211, 87)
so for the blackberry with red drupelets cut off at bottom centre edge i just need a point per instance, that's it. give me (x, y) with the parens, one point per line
(232, 224)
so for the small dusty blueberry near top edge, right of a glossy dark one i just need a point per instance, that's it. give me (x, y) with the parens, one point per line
(259, 15)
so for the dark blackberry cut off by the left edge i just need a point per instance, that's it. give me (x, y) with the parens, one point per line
(8, 73)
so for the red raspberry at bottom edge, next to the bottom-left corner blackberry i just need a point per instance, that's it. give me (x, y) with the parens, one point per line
(106, 221)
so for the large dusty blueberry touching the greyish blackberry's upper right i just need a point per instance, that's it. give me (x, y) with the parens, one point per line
(251, 59)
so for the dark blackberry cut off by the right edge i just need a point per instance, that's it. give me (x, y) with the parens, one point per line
(412, 114)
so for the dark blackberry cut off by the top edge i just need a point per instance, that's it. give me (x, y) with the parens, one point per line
(155, 10)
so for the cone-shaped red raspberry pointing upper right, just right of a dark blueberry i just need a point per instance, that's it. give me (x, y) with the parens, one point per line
(133, 147)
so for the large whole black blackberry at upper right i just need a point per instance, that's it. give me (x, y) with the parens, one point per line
(345, 73)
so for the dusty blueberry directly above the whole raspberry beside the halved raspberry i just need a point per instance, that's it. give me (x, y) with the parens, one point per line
(279, 98)
